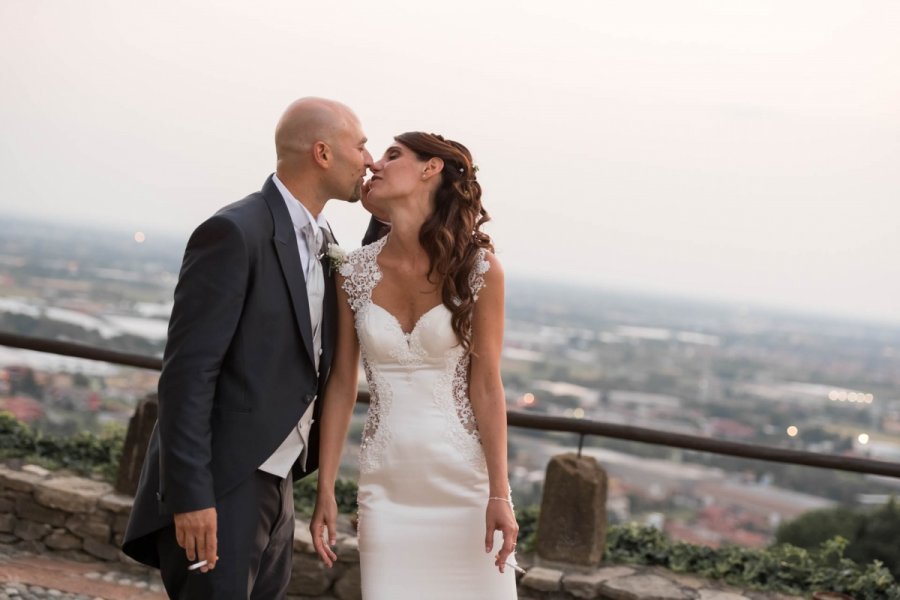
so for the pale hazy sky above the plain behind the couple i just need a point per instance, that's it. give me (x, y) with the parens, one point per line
(728, 149)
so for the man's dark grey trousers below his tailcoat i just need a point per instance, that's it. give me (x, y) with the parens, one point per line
(255, 543)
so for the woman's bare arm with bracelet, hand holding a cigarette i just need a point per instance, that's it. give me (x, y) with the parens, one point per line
(489, 404)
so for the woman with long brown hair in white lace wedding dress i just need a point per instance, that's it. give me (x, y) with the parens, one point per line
(425, 306)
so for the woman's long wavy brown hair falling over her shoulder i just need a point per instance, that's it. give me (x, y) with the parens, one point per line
(452, 235)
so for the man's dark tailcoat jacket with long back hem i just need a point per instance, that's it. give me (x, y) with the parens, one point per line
(238, 369)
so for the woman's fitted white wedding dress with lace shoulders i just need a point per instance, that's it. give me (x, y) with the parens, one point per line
(423, 485)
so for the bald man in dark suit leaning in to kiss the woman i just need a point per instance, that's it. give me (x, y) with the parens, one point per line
(250, 344)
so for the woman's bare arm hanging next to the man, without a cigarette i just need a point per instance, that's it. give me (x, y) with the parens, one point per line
(337, 407)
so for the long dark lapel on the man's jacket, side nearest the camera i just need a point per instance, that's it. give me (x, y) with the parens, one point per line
(285, 241)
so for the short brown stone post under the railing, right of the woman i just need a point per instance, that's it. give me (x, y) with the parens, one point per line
(572, 523)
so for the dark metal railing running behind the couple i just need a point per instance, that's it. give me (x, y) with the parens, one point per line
(515, 418)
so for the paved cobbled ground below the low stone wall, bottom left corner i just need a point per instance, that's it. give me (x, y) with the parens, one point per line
(26, 576)
